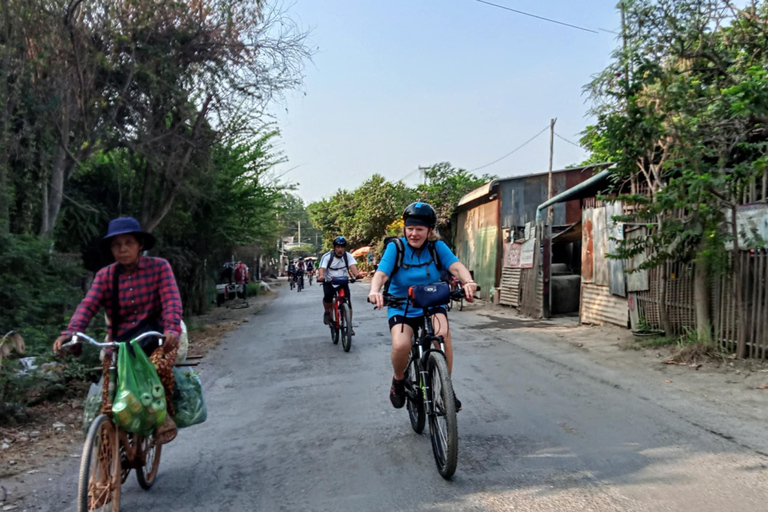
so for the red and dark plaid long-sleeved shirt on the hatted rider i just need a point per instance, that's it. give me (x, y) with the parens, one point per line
(149, 292)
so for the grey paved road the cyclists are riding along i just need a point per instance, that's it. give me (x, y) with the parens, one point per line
(296, 424)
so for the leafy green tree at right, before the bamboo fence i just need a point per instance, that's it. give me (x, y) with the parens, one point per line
(688, 121)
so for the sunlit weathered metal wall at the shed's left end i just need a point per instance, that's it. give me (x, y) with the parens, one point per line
(477, 244)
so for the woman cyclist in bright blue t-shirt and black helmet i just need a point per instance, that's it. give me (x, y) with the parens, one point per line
(419, 267)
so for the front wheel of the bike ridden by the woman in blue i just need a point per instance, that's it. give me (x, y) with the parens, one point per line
(445, 434)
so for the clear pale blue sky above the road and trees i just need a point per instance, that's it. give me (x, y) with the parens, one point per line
(402, 83)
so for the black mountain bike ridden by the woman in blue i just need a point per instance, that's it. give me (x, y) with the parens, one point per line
(428, 386)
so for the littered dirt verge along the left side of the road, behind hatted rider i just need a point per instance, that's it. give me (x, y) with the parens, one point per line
(54, 430)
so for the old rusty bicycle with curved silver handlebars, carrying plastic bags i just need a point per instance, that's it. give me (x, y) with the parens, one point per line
(109, 452)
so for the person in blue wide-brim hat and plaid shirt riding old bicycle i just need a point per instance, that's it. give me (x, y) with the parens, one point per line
(138, 293)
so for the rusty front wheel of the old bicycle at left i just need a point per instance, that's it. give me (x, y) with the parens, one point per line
(90, 496)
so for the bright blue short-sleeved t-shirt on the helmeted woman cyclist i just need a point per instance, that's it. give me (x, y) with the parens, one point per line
(414, 276)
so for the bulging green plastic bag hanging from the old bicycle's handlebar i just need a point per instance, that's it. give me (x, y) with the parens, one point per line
(139, 405)
